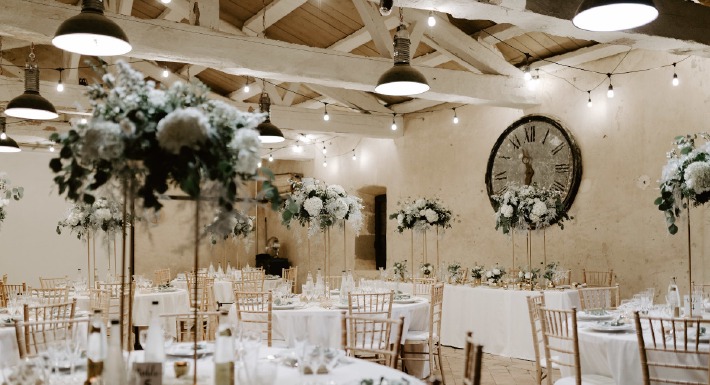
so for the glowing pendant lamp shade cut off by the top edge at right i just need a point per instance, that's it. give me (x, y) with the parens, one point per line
(614, 15)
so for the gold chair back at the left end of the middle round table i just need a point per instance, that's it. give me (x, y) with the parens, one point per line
(254, 310)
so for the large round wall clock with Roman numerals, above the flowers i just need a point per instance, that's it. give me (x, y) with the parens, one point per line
(535, 150)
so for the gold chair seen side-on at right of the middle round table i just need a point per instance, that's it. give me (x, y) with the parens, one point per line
(431, 338)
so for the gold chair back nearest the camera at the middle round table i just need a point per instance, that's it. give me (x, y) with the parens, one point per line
(374, 339)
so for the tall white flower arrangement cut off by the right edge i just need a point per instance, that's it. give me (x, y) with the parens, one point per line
(686, 175)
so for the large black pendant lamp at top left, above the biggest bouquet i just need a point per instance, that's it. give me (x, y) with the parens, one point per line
(91, 33)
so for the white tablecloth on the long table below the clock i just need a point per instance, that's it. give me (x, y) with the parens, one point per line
(498, 318)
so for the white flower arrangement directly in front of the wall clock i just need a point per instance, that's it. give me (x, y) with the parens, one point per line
(528, 208)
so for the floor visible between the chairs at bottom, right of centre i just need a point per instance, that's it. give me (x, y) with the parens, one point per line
(496, 370)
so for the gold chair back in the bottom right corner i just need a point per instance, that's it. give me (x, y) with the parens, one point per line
(671, 350)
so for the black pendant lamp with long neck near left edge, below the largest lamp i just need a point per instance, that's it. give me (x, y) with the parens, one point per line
(31, 105)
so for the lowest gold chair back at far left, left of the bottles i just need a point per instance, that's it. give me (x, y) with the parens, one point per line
(35, 337)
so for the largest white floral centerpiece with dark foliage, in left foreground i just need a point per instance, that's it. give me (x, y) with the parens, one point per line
(147, 137)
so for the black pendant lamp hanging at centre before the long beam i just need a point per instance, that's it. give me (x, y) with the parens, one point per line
(402, 79)
